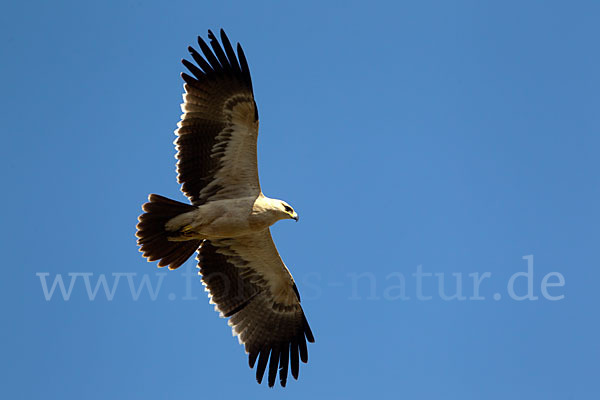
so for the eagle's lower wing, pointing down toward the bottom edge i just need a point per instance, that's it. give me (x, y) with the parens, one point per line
(248, 282)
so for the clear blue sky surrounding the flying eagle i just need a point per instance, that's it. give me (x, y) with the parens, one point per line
(450, 138)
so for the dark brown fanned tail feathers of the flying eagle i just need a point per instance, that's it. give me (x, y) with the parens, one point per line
(153, 238)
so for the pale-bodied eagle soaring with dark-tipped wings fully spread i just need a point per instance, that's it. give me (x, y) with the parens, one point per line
(229, 218)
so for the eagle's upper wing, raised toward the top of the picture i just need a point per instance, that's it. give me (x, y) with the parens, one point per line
(216, 137)
